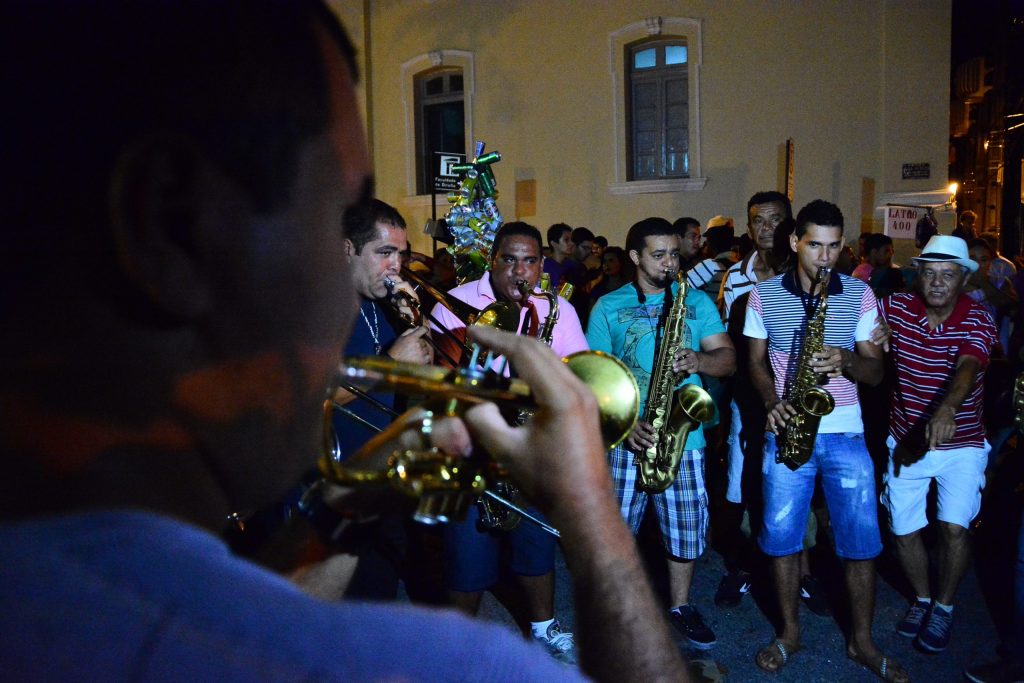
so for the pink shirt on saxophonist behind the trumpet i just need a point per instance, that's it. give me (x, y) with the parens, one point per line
(568, 336)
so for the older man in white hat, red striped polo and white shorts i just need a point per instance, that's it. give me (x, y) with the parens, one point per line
(942, 340)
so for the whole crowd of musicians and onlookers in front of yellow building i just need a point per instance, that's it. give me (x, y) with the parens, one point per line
(190, 258)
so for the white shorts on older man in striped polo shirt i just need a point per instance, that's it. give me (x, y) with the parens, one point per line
(960, 477)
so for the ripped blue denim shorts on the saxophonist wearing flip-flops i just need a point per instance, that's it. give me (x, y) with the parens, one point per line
(848, 482)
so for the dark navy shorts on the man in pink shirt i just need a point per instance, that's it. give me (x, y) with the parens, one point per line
(473, 557)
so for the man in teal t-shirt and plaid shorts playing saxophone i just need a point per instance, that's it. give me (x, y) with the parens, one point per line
(624, 323)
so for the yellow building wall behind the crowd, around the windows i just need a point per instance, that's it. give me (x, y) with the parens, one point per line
(862, 88)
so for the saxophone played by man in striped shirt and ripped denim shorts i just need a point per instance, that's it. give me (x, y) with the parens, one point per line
(812, 401)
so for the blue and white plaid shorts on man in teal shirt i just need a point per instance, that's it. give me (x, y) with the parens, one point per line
(682, 508)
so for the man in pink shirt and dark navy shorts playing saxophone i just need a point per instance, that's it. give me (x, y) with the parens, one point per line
(472, 554)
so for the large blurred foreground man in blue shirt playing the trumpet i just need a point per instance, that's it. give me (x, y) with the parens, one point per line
(177, 310)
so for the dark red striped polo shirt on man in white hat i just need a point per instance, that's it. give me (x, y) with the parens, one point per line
(926, 362)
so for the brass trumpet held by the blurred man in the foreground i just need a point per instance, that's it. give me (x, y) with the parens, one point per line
(446, 485)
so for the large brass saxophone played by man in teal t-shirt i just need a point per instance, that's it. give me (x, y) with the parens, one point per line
(673, 414)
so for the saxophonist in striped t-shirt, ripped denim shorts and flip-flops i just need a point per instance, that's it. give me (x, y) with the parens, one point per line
(778, 314)
